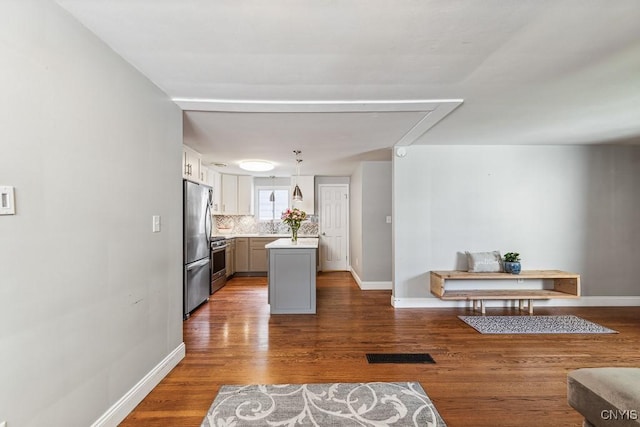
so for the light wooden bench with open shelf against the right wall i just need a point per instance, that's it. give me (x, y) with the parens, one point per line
(565, 285)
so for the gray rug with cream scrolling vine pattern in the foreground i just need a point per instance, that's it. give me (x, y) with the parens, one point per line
(335, 404)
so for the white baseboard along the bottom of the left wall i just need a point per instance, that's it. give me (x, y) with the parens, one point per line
(123, 407)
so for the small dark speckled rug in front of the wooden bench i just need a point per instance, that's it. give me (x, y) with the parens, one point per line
(534, 325)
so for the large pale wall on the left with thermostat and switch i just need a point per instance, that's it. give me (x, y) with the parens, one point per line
(90, 299)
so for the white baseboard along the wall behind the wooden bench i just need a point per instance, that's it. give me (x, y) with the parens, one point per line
(602, 301)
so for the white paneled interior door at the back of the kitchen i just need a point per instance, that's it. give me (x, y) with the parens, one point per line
(334, 229)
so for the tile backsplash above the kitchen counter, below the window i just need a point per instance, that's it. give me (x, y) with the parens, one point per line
(247, 224)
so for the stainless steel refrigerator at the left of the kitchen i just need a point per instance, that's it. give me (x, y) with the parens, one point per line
(197, 234)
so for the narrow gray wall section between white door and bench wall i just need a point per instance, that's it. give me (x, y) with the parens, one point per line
(371, 244)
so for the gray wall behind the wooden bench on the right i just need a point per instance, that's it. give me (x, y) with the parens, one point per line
(571, 208)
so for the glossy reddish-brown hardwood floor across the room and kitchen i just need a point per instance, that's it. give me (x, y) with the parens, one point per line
(478, 380)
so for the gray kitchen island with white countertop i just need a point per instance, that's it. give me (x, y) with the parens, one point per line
(292, 275)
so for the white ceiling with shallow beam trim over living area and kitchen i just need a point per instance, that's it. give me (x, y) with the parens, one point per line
(344, 81)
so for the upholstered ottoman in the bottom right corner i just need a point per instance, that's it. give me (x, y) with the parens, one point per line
(606, 396)
